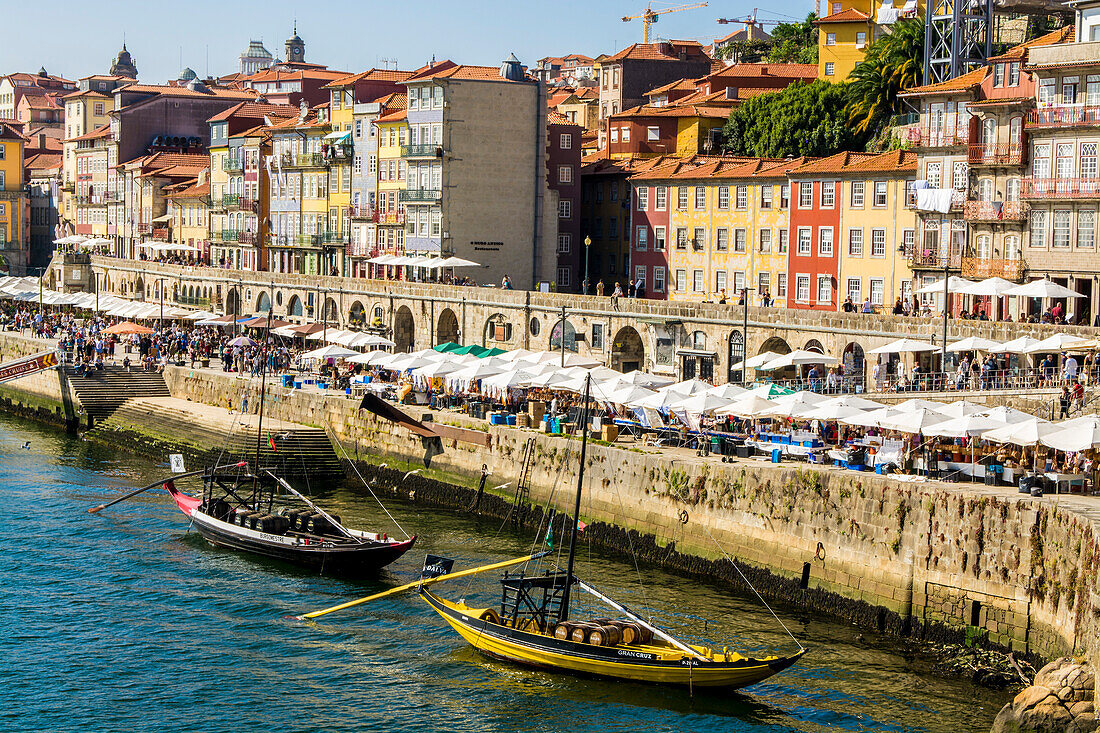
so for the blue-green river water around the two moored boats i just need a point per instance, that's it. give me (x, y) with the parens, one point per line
(125, 621)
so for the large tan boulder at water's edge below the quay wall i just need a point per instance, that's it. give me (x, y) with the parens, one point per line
(1061, 701)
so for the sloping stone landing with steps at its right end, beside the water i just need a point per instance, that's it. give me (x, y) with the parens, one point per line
(164, 425)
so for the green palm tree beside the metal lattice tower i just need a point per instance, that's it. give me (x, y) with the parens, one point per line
(893, 64)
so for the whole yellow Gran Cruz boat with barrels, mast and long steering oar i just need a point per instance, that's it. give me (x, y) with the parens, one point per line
(534, 627)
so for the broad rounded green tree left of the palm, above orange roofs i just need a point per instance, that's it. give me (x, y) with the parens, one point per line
(804, 119)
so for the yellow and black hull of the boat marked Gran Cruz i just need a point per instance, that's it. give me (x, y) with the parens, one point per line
(637, 663)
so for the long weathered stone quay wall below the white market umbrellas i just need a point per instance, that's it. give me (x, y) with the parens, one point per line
(931, 560)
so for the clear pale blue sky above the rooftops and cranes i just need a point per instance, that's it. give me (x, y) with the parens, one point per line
(78, 39)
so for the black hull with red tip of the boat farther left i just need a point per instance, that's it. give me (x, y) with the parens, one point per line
(337, 559)
